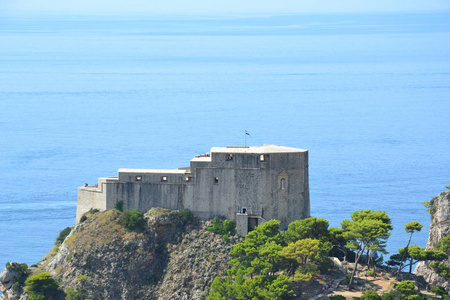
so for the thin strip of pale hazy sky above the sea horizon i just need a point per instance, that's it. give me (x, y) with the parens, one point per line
(224, 6)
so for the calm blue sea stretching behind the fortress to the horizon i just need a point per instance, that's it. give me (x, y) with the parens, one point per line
(84, 95)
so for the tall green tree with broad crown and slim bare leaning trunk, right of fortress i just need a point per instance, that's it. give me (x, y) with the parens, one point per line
(367, 230)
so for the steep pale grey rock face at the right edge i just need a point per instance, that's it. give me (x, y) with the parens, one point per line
(439, 229)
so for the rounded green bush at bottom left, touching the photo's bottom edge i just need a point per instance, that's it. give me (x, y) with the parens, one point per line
(41, 286)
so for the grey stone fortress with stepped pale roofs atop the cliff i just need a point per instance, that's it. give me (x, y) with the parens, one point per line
(248, 185)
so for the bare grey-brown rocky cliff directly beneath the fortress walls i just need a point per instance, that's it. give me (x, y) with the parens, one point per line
(169, 257)
